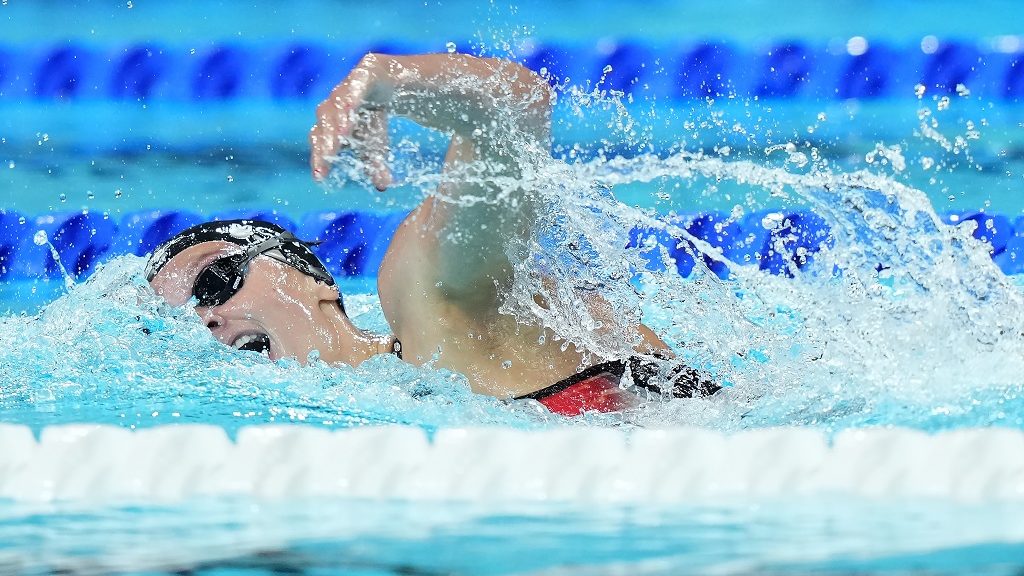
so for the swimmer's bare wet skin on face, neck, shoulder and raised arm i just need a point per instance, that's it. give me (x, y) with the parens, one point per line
(441, 298)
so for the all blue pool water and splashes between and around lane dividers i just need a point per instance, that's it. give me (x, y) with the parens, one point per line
(81, 355)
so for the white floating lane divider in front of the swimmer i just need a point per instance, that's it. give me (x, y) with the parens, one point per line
(687, 466)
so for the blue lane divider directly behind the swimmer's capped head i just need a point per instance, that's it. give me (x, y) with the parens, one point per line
(354, 243)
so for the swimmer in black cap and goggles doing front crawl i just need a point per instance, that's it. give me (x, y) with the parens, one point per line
(259, 287)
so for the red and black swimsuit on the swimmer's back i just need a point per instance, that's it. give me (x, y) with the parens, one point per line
(600, 388)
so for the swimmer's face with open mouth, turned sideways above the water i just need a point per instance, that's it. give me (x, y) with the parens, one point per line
(278, 311)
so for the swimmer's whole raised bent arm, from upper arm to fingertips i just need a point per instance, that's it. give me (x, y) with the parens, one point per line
(496, 111)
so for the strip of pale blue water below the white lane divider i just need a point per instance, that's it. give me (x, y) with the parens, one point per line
(236, 538)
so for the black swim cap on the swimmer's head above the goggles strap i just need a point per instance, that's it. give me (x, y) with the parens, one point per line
(295, 253)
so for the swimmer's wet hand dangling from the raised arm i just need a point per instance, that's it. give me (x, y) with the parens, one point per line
(354, 117)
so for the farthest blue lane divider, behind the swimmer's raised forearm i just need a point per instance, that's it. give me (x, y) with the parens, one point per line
(861, 68)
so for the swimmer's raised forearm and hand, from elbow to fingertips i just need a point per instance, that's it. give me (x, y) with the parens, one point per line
(455, 94)
